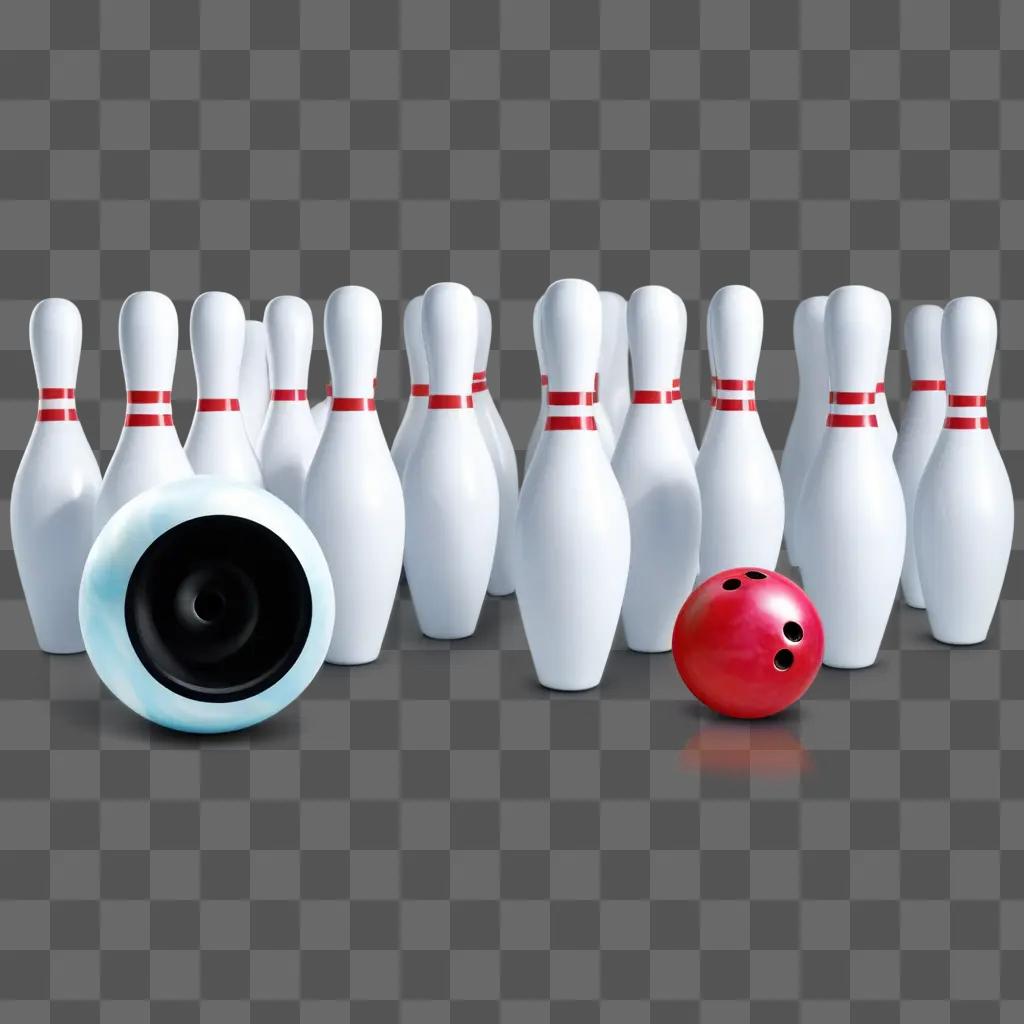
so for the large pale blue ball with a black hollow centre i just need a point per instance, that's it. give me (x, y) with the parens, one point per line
(206, 607)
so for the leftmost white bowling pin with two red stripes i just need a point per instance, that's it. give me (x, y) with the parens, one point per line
(54, 497)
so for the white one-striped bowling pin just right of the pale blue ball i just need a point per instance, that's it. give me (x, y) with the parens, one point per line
(354, 502)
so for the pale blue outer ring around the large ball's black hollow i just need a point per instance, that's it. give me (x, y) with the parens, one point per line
(115, 556)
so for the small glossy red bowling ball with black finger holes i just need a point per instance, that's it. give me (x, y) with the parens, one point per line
(748, 643)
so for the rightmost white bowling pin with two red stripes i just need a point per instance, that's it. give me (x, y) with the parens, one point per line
(964, 513)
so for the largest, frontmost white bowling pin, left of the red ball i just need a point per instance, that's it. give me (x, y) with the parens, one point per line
(573, 528)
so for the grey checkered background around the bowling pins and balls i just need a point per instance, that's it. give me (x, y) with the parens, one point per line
(433, 838)
